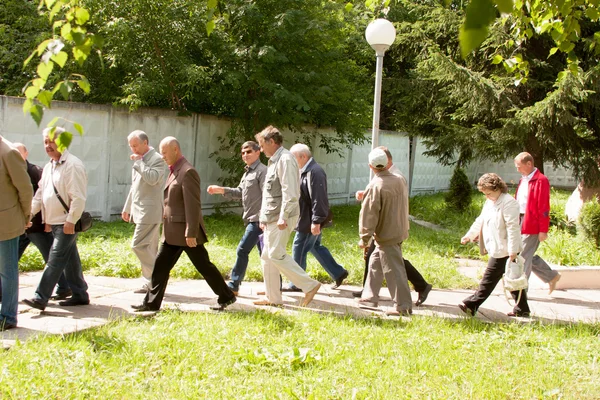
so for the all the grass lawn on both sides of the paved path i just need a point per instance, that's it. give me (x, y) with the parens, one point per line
(262, 355)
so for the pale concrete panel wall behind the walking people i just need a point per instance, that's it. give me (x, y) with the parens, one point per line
(105, 152)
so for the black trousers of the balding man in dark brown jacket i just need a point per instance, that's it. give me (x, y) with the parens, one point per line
(165, 261)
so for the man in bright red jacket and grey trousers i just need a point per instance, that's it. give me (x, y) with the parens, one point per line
(533, 195)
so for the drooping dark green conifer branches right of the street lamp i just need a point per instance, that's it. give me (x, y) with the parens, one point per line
(468, 109)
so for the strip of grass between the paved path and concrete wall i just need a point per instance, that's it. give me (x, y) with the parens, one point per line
(105, 249)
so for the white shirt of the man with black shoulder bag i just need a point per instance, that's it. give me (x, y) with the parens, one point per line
(69, 176)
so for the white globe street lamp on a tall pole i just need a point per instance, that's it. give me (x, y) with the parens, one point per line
(380, 34)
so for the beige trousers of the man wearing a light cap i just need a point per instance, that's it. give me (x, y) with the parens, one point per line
(387, 261)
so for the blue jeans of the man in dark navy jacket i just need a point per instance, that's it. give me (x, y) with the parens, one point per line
(307, 242)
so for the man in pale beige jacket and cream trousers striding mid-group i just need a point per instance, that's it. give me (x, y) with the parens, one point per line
(278, 217)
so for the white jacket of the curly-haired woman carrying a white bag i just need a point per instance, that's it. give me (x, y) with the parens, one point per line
(499, 223)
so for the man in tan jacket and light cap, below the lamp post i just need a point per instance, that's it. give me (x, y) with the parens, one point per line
(384, 218)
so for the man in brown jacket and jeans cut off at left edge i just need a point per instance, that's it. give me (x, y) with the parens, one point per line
(15, 212)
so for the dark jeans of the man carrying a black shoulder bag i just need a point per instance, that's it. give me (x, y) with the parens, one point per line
(63, 257)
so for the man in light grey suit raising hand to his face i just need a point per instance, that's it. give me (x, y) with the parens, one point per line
(144, 204)
